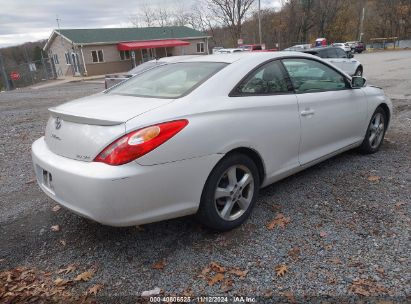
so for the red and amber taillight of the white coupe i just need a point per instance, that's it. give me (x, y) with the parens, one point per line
(138, 143)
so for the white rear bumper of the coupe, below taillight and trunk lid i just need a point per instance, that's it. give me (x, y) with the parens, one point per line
(124, 195)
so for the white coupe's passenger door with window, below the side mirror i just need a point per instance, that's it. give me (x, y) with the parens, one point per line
(332, 114)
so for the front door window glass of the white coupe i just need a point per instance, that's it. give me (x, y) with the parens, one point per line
(312, 76)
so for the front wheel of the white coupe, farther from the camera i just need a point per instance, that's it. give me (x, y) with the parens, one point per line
(374, 136)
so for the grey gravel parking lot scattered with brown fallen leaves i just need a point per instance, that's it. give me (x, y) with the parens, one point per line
(342, 226)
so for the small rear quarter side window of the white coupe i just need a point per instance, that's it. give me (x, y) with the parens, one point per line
(268, 79)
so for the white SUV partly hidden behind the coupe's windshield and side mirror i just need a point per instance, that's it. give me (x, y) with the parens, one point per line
(339, 58)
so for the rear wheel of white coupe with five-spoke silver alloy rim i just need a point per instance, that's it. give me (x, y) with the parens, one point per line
(237, 192)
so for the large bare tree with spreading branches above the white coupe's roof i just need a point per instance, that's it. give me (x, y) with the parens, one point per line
(231, 14)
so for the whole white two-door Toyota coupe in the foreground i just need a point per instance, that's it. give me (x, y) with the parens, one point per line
(203, 135)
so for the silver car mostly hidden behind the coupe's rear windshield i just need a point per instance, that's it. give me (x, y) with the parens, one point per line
(114, 79)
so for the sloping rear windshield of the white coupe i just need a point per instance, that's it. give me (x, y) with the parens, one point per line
(169, 81)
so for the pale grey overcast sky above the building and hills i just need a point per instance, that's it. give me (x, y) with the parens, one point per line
(31, 20)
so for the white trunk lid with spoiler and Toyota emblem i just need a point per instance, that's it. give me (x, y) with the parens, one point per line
(81, 129)
